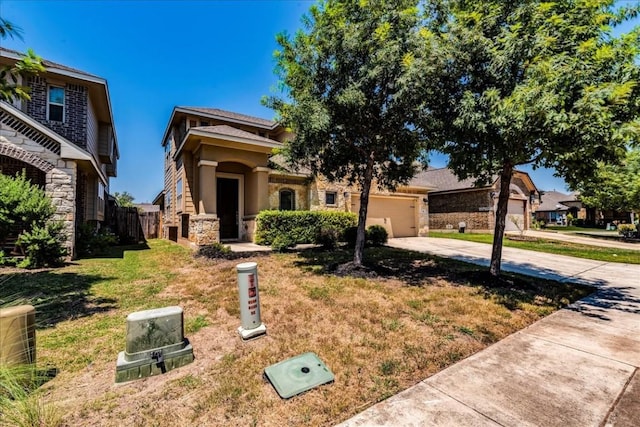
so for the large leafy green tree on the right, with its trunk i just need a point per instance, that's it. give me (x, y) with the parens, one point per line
(530, 82)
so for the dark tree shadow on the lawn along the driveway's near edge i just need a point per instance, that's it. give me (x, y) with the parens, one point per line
(419, 269)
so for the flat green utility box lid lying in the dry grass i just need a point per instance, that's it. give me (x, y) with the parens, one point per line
(298, 374)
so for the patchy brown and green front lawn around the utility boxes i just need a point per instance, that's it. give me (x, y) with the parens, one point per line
(379, 335)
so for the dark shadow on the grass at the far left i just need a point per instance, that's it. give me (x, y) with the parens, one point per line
(56, 296)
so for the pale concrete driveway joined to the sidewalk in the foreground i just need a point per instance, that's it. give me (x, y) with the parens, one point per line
(577, 367)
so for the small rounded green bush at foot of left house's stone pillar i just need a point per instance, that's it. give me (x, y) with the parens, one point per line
(43, 245)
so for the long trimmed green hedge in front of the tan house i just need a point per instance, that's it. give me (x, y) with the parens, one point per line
(284, 229)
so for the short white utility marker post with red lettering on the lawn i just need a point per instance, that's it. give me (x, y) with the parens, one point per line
(251, 325)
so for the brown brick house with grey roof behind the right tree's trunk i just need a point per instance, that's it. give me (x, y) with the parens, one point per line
(457, 201)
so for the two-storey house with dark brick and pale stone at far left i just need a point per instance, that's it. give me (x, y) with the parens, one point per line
(64, 139)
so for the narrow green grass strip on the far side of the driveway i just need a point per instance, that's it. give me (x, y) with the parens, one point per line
(558, 247)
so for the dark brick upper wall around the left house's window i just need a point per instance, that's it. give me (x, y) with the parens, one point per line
(74, 127)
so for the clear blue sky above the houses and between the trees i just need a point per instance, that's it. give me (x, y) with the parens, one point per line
(159, 54)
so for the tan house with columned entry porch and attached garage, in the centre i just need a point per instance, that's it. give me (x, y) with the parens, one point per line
(220, 172)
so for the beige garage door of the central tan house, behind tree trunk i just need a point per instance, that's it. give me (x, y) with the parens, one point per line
(396, 214)
